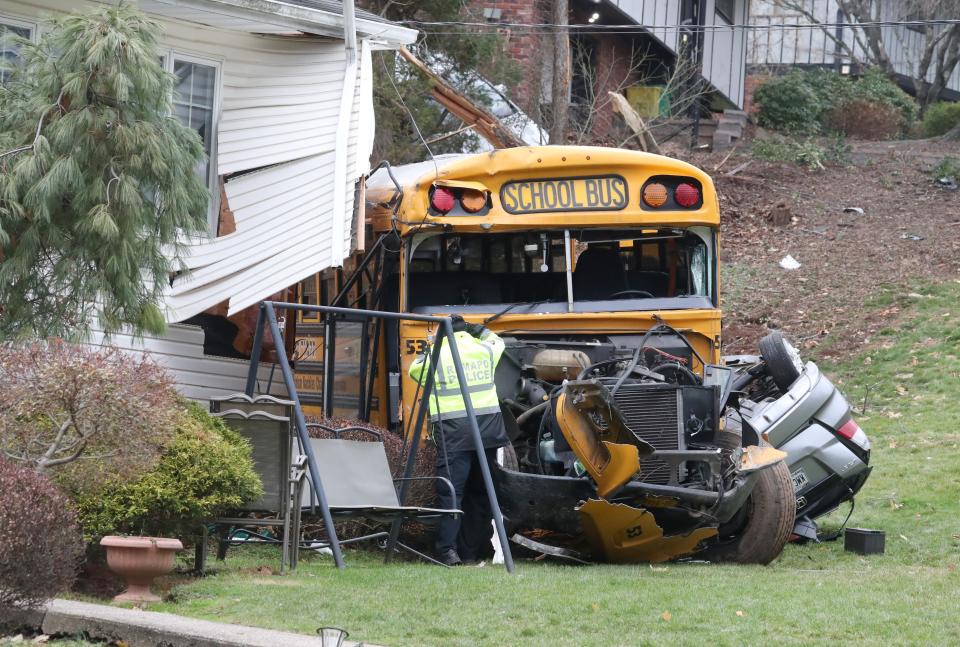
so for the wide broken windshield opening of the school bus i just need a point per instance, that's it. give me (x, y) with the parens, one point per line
(527, 267)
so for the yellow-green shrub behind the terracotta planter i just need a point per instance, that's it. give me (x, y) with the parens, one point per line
(206, 470)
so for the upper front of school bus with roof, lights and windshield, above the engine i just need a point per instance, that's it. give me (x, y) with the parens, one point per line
(571, 241)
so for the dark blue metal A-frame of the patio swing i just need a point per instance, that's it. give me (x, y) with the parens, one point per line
(268, 318)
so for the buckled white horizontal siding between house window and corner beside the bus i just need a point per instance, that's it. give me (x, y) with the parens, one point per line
(289, 230)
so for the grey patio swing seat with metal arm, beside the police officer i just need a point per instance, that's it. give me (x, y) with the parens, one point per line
(356, 479)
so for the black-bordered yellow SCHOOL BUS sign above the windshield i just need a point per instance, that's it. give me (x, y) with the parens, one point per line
(596, 193)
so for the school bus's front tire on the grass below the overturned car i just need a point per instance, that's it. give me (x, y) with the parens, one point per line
(760, 530)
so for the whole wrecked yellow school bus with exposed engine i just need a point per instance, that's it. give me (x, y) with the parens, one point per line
(599, 269)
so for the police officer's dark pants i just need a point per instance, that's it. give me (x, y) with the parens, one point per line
(470, 533)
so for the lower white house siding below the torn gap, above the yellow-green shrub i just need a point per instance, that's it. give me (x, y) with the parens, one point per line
(196, 376)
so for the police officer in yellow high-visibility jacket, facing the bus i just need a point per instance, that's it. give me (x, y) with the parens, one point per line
(462, 539)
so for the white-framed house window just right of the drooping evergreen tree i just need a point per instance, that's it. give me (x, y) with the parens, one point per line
(195, 103)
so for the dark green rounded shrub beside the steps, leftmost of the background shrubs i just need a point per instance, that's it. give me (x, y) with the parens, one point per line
(788, 103)
